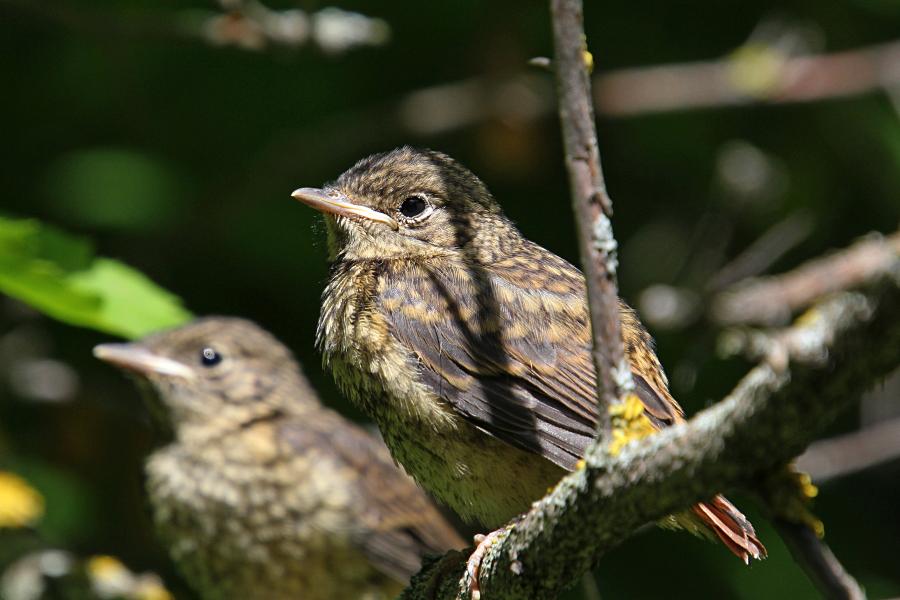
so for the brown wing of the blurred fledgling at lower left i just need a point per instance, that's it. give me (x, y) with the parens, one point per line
(398, 524)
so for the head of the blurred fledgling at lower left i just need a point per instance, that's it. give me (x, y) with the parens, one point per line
(217, 369)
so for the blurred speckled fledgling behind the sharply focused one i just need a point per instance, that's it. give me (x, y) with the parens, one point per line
(257, 489)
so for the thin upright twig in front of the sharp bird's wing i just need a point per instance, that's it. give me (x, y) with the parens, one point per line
(591, 203)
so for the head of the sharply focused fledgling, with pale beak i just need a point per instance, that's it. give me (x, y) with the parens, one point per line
(408, 203)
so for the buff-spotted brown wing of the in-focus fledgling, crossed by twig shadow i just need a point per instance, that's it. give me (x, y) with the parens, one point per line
(509, 347)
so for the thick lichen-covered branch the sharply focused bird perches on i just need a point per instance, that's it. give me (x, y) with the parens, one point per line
(849, 343)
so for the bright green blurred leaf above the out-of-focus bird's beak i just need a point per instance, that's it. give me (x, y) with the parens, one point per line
(58, 274)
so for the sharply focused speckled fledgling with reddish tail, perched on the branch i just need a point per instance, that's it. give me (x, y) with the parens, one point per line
(470, 345)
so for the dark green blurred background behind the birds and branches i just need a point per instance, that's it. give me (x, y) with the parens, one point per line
(122, 124)
